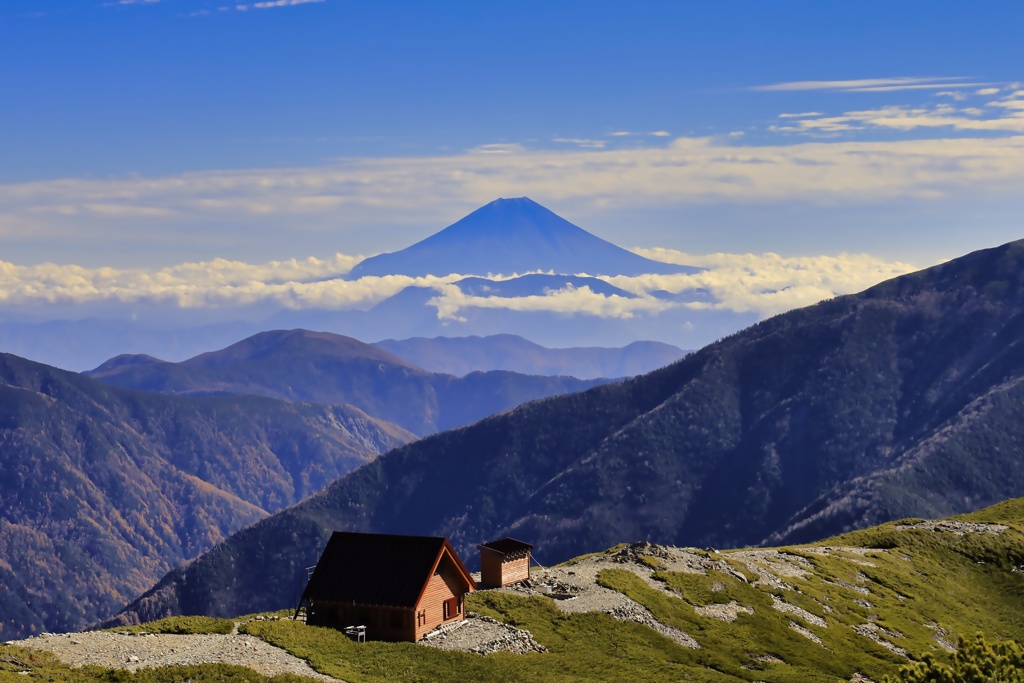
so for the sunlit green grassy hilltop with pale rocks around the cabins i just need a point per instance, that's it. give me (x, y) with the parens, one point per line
(861, 606)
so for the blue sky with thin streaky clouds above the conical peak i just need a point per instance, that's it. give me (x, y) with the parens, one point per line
(150, 135)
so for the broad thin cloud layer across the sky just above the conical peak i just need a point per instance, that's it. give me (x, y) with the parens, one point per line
(428, 191)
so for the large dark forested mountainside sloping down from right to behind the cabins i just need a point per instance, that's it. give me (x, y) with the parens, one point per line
(906, 400)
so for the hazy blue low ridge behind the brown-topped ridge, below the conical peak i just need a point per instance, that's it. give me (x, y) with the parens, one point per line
(460, 356)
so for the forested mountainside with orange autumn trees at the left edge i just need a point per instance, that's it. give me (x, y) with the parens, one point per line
(104, 490)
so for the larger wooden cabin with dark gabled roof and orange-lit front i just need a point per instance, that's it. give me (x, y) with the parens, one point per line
(399, 587)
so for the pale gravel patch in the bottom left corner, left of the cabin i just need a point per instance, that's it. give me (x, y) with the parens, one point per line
(116, 651)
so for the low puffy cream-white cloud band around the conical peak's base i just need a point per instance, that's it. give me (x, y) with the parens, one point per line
(764, 284)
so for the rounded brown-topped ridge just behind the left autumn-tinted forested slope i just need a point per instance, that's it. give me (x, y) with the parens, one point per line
(324, 368)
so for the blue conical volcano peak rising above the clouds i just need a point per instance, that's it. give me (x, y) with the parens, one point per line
(513, 236)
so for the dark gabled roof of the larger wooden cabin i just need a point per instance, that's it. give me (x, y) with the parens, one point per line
(379, 569)
